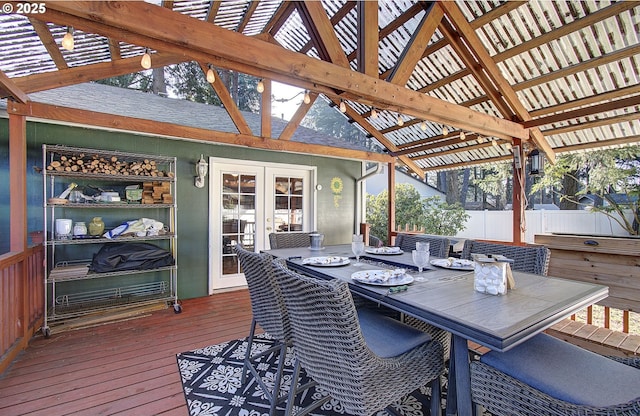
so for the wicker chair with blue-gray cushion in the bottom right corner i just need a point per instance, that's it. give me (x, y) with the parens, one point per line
(547, 376)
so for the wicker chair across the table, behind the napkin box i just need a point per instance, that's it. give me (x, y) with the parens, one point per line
(529, 259)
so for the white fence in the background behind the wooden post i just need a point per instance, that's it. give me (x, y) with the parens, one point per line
(497, 225)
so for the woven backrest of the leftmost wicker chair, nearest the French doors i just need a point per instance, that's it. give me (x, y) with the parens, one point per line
(267, 303)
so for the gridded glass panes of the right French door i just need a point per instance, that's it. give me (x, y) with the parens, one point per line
(288, 209)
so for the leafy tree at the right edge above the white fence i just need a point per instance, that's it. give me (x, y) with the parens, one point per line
(612, 175)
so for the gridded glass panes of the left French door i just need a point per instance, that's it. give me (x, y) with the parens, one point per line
(238, 217)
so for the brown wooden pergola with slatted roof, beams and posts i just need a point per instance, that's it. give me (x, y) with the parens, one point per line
(501, 77)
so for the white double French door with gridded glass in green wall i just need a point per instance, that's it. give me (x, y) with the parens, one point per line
(247, 201)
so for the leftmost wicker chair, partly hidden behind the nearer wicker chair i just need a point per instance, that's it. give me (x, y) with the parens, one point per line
(268, 308)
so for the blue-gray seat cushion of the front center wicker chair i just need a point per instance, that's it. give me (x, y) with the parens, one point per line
(388, 337)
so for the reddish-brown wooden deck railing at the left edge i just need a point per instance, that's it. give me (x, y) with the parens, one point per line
(21, 301)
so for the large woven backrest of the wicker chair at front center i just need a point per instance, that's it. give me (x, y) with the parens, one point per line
(327, 338)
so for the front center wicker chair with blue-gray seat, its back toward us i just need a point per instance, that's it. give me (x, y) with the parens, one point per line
(362, 359)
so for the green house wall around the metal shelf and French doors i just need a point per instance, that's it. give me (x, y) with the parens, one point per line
(336, 222)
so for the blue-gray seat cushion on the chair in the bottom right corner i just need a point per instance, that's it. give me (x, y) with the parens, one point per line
(567, 372)
